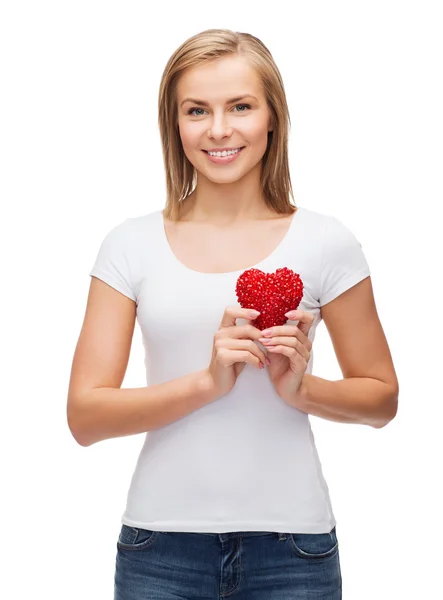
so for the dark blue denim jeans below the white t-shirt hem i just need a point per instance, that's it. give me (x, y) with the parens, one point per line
(246, 565)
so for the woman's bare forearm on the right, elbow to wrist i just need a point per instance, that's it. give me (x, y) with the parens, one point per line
(361, 400)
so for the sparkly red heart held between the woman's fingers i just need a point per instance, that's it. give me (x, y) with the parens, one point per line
(273, 294)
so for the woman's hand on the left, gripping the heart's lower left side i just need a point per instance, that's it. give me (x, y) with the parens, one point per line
(233, 347)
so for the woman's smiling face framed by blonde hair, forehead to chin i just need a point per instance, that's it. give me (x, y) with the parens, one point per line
(221, 106)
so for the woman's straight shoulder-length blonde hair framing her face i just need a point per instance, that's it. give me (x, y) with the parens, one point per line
(206, 46)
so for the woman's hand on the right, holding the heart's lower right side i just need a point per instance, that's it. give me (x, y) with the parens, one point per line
(289, 350)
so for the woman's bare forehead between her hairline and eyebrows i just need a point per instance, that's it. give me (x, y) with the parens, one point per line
(224, 77)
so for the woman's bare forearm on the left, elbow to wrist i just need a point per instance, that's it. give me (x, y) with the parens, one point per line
(106, 413)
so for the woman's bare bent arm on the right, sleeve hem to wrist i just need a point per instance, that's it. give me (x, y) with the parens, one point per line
(368, 394)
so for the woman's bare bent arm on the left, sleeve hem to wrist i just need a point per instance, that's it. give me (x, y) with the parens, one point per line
(97, 407)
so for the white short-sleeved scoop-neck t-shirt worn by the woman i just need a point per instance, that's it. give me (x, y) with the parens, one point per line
(247, 461)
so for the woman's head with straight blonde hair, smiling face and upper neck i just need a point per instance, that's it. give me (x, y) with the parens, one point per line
(222, 90)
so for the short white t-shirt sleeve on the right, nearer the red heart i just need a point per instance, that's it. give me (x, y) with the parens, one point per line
(343, 263)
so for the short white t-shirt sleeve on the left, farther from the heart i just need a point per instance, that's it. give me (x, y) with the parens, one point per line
(113, 261)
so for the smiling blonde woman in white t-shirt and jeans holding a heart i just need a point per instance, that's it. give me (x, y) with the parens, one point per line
(229, 468)
